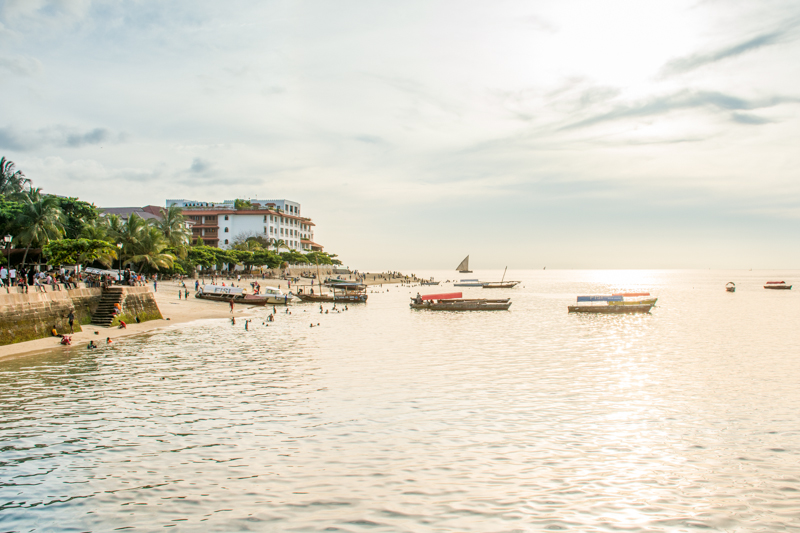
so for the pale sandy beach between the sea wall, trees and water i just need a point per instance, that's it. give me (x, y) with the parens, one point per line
(174, 310)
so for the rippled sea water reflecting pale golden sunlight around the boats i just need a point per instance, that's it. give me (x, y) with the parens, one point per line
(389, 419)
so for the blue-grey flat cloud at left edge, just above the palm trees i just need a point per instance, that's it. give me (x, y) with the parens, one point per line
(58, 136)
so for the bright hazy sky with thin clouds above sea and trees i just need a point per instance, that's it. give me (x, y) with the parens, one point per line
(566, 134)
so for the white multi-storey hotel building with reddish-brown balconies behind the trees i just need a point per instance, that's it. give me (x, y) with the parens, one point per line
(219, 224)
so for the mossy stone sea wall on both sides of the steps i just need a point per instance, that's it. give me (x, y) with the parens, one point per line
(30, 316)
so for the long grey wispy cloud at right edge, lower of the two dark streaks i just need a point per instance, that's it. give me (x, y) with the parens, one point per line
(686, 99)
